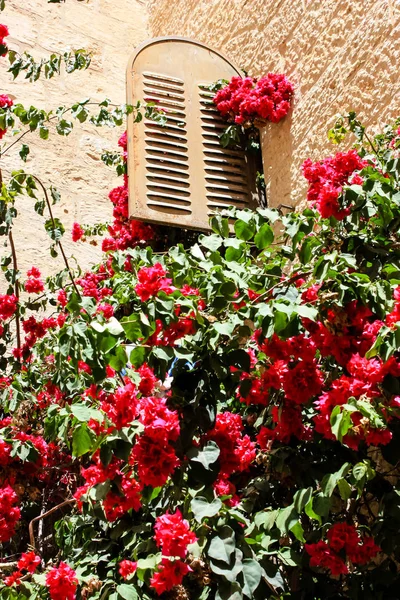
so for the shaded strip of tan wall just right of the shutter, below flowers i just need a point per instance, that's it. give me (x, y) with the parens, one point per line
(278, 164)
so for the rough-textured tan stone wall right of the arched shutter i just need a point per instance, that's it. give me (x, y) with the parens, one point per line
(341, 54)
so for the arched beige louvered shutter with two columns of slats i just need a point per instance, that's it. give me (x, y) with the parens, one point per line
(179, 173)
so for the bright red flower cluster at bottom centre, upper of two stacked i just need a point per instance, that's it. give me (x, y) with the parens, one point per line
(173, 534)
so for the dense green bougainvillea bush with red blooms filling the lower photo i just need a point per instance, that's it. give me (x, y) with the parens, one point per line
(215, 420)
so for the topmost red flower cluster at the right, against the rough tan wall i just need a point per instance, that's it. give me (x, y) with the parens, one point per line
(327, 178)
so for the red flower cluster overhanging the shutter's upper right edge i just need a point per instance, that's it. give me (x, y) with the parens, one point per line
(244, 100)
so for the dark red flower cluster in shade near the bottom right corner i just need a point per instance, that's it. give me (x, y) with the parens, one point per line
(344, 538)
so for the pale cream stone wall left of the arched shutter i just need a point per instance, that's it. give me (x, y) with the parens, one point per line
(111, 29)
